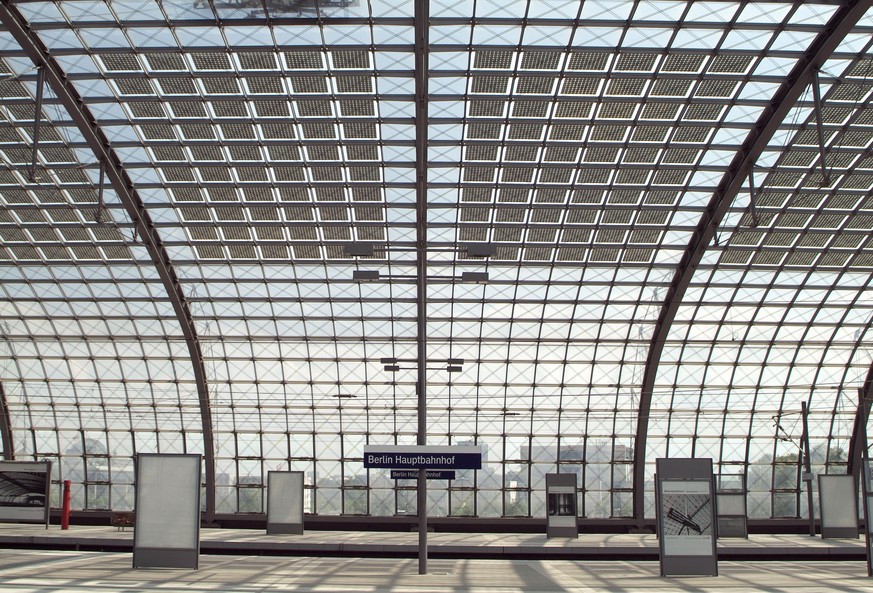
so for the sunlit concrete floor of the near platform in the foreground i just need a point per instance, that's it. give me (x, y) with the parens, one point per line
(79, 572)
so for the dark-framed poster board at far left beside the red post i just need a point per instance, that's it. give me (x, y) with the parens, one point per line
(24, 491)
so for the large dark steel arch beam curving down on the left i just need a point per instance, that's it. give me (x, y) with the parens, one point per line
(136, 210)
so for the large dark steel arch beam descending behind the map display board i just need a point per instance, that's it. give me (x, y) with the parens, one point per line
(841, 23)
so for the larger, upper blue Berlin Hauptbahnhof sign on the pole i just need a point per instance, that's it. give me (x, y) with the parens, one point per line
(422, 457)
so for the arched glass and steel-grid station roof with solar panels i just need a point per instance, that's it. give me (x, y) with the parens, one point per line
(670, 202)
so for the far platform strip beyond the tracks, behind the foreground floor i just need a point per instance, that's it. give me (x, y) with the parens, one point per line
(441, 545)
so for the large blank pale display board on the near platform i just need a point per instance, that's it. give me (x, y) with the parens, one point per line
(167, 533)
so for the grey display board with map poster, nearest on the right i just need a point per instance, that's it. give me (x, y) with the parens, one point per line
(686, 517)
